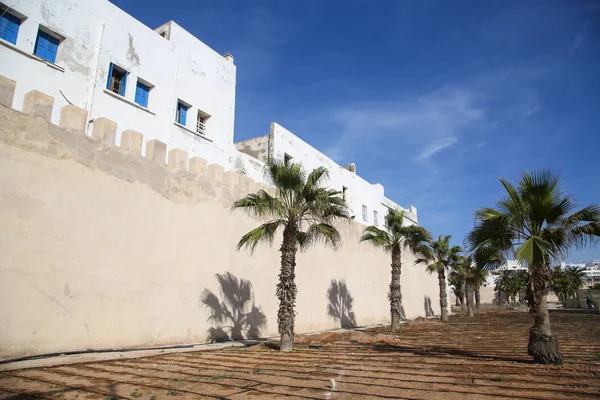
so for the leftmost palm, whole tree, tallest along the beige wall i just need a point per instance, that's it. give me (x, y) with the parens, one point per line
(306, 212)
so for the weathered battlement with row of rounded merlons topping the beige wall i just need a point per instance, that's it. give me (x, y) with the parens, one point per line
(158, 166)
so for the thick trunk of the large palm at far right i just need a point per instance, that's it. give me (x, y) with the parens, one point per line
(543, 347)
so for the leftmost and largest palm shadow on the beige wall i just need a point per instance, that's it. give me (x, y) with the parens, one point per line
(234, 315)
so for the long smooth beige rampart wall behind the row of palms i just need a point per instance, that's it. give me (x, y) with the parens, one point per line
(101, 248)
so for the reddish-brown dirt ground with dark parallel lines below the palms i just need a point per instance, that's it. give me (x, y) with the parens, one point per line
(468, 358)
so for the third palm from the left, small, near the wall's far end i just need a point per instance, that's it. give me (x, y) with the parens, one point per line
(439, 256)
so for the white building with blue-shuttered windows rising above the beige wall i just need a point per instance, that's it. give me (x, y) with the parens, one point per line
(162, 82)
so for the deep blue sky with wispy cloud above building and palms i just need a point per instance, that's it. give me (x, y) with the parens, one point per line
(433, 99)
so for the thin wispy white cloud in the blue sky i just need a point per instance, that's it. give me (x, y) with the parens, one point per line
(425, 125)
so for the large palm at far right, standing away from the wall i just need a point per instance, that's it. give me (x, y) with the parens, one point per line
(535, 222)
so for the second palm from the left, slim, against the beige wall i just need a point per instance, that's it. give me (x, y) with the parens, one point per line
(396, 238)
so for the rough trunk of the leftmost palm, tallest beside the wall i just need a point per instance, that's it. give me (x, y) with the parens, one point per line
(286, 289)
